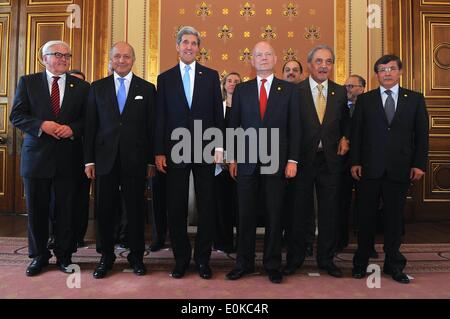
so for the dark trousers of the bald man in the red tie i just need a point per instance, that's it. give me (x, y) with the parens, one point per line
(249, 188)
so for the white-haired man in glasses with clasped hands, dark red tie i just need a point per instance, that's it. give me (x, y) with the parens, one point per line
(49, 108)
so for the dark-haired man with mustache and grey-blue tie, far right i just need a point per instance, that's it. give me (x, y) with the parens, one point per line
(389, 151)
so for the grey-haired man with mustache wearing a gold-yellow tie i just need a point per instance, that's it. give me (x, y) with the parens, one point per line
(324, 128)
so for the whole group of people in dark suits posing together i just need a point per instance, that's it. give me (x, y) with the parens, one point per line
(119, 131)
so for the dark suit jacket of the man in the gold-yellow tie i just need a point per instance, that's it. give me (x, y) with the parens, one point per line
(335, 125)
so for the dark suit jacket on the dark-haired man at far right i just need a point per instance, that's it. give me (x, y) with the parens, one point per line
(393, 149)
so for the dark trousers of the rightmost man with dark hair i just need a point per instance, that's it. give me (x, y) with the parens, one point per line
(393, 195)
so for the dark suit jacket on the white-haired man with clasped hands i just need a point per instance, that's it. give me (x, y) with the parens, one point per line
(44, 156)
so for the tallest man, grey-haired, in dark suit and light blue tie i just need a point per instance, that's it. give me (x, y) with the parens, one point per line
(188, 94)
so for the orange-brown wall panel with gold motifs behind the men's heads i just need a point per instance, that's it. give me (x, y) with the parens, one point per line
(230, 29)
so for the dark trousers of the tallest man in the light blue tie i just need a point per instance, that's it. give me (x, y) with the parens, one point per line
(177, 207)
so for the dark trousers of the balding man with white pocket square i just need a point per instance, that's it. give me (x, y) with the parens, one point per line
(132, 189)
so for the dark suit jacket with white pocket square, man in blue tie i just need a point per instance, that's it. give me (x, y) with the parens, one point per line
(128, 135)
